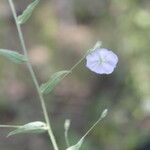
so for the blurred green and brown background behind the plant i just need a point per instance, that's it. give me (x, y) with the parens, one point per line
(57, 35)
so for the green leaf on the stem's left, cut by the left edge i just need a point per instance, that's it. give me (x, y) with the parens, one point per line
(14, 56)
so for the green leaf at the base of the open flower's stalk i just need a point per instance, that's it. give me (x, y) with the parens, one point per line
(53, 81)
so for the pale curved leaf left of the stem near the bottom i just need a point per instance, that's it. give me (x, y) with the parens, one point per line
(32, 127)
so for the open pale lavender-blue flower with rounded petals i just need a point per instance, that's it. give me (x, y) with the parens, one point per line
(101, 61)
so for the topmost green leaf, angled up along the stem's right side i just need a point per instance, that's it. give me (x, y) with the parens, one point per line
(27, 13)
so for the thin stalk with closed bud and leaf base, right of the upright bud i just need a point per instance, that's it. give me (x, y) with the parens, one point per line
(80, 142)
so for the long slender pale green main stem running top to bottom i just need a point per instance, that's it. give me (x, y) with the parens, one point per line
(50, 132)
